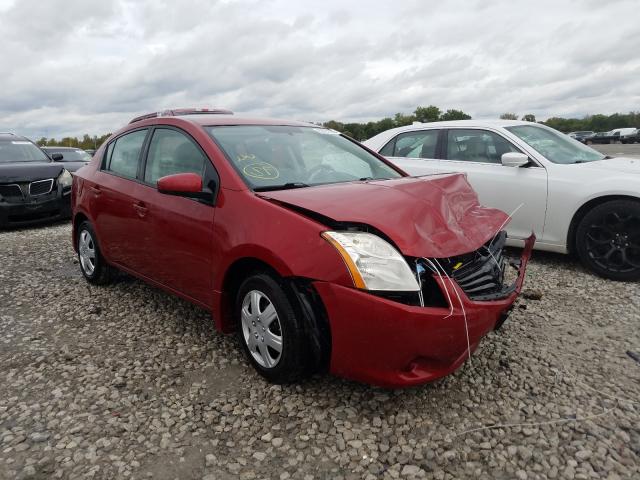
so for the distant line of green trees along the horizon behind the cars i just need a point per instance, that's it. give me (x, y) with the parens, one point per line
(363, 131)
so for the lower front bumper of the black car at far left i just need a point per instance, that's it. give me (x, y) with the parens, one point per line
(50, 207)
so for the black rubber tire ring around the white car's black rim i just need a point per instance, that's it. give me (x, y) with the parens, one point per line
(591, 217)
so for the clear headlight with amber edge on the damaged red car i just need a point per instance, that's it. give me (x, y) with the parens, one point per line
(374, 264)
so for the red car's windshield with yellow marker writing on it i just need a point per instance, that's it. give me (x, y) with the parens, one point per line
(274, 157)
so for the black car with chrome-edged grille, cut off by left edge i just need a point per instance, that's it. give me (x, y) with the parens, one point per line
(33, 187)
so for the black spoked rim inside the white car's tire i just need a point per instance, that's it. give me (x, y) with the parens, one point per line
(613, 242)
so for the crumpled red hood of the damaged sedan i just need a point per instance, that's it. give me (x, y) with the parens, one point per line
(435, 216)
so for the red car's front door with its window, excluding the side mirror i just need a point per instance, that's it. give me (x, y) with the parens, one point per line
(181, 228)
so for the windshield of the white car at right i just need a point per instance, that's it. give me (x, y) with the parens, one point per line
(555, 146)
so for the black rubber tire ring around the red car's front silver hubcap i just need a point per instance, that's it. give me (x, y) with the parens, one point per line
(293, 360)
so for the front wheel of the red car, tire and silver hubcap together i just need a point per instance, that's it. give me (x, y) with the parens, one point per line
(260, 337)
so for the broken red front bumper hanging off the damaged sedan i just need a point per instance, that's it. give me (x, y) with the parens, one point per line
(390, 344)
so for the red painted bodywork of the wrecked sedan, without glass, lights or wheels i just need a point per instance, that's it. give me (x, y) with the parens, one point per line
(188, 247)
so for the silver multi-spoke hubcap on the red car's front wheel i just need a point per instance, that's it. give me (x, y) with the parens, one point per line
(261, 329)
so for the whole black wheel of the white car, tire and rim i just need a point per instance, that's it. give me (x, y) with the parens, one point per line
(608, 240)
